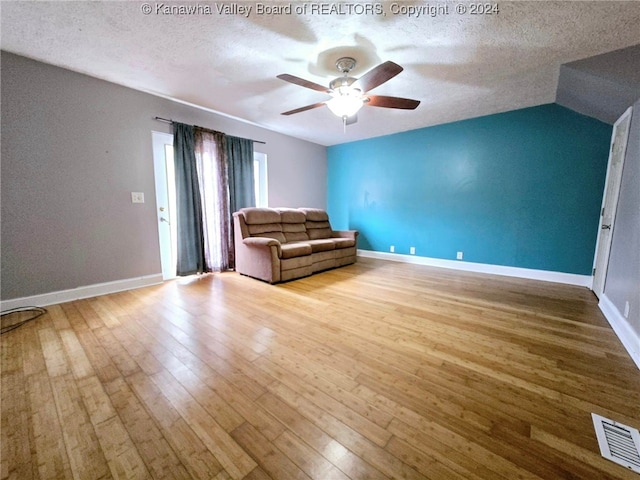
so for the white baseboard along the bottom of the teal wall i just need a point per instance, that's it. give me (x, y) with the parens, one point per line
(544, 275)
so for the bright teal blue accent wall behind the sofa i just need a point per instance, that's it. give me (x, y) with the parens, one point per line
(522, 189)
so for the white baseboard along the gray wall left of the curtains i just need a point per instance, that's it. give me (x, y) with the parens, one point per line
(81, 292)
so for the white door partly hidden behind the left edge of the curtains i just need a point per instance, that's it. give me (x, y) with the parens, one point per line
(164, 171)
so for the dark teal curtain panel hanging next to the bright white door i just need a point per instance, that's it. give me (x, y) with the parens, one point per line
(190, 242)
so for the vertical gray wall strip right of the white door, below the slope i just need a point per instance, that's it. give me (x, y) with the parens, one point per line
(623, 274)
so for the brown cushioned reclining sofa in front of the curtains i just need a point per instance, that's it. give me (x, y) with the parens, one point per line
(276, 245)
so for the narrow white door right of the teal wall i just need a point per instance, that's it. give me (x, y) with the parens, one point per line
(610, 200)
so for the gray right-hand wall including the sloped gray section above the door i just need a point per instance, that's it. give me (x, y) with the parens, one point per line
(603, 87)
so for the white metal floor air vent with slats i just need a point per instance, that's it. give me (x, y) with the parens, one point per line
(618, 443)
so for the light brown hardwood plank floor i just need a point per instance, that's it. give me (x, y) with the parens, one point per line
(376, 370)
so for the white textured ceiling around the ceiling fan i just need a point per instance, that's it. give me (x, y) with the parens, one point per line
(458, 65)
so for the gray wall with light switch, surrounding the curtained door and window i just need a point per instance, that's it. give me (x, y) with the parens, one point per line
(73, 150)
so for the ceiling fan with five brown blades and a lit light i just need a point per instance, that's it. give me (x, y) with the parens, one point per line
(350, 94)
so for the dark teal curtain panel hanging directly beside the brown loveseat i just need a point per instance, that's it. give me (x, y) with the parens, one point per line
(242, 192)
